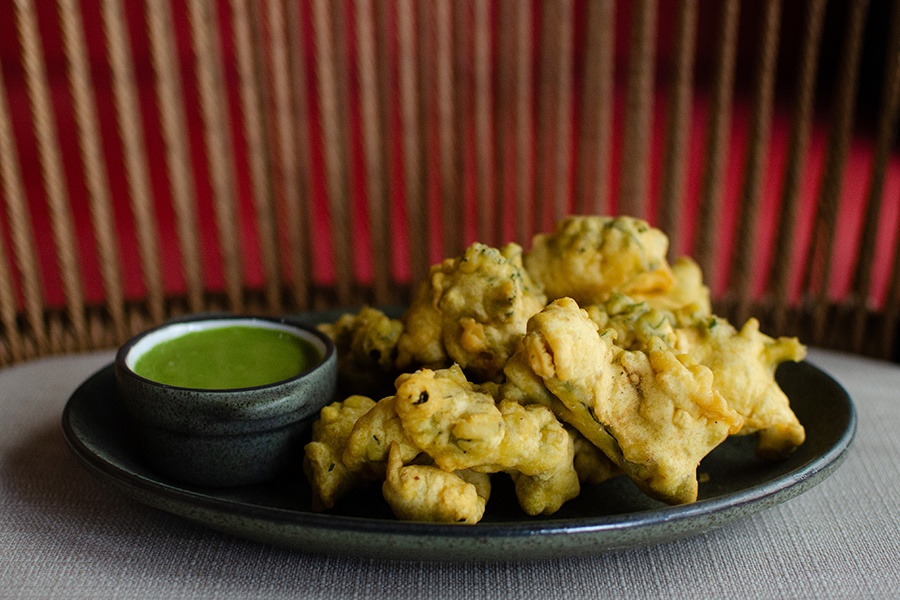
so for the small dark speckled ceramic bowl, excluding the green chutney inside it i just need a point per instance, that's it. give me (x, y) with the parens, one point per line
(230, 436)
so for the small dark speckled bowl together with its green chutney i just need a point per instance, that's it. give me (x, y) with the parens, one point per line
(225, 401)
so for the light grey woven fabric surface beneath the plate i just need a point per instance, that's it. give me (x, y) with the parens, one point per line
(65, 534)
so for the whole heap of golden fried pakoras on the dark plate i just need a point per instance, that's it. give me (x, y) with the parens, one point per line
(586, 358)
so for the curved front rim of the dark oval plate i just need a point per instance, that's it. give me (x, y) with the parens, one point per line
(730, 506)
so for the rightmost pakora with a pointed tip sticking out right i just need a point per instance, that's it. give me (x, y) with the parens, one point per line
(743, 364)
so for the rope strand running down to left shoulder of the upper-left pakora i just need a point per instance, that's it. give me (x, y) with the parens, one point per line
(412, 146)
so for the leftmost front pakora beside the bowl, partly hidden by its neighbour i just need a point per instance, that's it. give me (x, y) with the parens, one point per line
(324, 467)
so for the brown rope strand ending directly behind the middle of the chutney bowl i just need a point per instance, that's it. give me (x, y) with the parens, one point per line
(217, 134)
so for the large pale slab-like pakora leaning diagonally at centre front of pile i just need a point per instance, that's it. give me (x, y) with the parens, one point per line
(655, 414)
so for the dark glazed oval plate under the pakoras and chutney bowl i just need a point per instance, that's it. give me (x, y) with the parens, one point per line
(604, 517)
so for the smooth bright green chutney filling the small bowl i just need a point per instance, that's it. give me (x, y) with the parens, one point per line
(227, 358)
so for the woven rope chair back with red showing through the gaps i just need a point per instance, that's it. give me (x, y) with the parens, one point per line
(160, 158)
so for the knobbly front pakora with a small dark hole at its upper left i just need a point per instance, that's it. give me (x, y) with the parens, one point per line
(461, 428)
